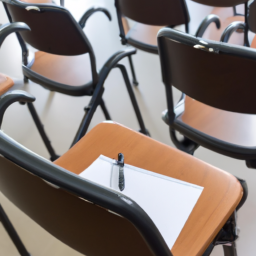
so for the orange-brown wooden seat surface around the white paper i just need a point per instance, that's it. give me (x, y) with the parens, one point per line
(222, 191)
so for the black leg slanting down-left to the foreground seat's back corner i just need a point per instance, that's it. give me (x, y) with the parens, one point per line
(95, 101)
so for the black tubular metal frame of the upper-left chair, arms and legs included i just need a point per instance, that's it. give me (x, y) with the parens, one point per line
(94, 89)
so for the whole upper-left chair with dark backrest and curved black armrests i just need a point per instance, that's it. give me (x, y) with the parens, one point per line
(65, 62)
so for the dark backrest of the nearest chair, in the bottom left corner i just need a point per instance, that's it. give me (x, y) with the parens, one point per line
(89, 218)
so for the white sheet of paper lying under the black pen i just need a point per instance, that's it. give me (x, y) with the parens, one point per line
(167, 201)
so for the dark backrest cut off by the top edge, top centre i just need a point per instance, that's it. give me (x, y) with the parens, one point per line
(155, 12)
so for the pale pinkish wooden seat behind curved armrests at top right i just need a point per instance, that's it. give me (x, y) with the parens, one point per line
(226, 16)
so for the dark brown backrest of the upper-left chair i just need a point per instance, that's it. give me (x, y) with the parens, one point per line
(53, 29)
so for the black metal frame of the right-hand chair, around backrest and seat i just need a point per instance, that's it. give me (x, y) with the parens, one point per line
(194, 138)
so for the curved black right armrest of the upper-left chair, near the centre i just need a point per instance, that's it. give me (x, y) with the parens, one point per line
(113, 61)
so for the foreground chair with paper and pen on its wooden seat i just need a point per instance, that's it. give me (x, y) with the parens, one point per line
(88, 215)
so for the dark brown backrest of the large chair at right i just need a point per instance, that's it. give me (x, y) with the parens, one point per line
(217, 74)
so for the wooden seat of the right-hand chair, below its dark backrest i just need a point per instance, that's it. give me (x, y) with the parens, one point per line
(232, 127)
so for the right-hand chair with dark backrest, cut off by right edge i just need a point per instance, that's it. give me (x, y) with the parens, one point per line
(218, 80)
